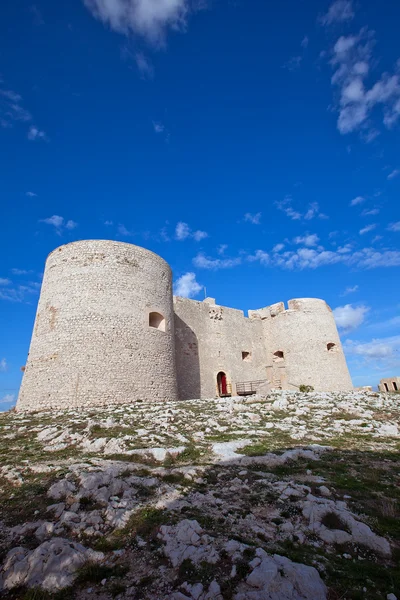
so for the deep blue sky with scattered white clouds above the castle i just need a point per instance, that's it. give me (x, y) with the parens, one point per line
(254, 145)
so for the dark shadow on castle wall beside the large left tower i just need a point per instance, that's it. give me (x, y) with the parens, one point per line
(187, 361)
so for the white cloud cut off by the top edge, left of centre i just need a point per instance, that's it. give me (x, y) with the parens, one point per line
(147, 18)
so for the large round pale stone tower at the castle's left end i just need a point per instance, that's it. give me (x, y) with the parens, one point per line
(104, 329)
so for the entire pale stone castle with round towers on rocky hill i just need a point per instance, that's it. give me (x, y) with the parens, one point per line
(108, 330)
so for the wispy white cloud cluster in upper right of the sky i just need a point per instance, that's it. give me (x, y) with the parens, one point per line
(352, 59)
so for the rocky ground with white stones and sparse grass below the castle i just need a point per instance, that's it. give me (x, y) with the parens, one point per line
(287, 497)
